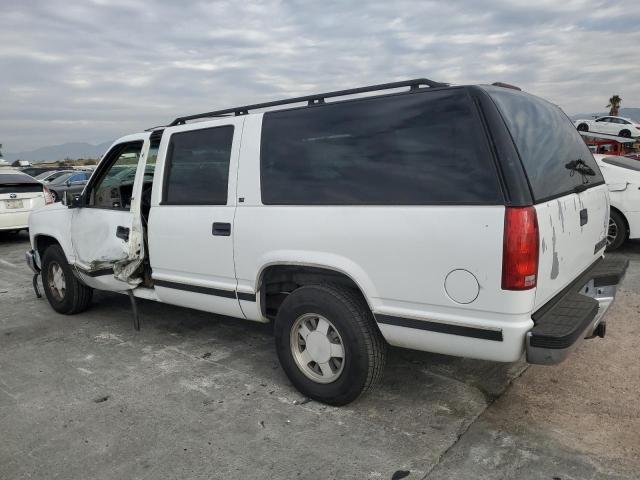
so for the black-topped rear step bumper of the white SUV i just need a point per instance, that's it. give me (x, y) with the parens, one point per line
(575, 313)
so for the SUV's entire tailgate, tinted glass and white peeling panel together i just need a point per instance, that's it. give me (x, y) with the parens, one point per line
(568, 190)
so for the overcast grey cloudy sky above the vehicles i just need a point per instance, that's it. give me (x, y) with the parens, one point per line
(95, 70)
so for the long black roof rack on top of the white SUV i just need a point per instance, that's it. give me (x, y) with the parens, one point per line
(312, 99)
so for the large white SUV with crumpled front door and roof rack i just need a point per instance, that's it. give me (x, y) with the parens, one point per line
(462, 220)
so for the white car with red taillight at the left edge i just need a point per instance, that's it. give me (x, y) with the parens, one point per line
(20, 194)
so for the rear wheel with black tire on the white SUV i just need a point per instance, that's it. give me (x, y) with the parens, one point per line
(329, 344)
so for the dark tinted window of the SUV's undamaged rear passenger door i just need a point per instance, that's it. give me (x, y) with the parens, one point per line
(198, 167)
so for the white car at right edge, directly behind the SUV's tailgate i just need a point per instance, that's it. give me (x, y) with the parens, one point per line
(622, 175)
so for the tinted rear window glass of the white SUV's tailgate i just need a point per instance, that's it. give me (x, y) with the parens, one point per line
(547, 141)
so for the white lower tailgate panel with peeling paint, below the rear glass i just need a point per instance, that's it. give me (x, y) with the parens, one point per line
(572, 232)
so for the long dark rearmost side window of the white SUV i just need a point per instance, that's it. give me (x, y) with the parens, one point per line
(412, 149)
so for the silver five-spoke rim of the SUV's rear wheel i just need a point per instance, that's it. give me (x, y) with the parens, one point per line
(317, 348)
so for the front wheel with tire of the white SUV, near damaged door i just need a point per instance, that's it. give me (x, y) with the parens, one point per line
(66, 294)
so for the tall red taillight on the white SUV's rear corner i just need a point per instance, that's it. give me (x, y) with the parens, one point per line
(520, 249)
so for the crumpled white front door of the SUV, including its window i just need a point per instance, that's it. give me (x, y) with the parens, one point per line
(106, 230)
